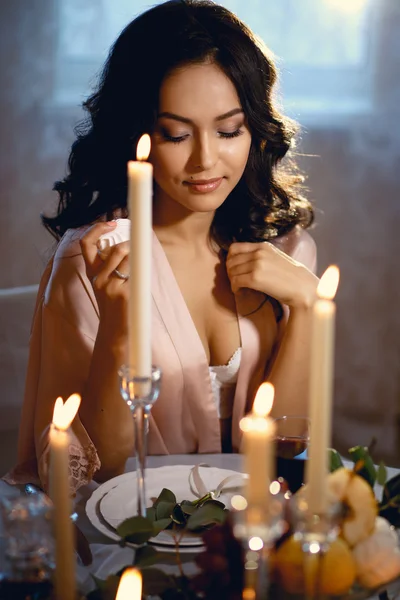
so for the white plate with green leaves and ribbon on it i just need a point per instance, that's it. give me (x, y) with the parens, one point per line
(115, 500)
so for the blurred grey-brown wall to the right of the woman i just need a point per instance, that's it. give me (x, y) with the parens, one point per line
(355, 182)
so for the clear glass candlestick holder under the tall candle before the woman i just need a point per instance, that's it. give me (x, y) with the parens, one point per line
(140, 393)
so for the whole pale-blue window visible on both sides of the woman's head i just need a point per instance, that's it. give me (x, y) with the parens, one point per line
(323, 48)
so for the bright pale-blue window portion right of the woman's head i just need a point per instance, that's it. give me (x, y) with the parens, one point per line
(323, 49)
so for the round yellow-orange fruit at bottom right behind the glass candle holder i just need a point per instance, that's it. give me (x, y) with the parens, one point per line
(332, 573)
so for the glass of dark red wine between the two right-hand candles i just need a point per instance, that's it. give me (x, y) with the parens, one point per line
(290, 461)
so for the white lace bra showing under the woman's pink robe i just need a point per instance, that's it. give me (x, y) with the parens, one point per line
(223, 381)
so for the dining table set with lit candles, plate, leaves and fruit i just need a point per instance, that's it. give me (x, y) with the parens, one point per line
(286, 518)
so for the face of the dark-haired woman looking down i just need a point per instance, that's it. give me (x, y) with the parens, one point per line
(201, 142)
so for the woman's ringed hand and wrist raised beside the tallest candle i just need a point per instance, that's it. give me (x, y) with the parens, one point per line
(111, 290)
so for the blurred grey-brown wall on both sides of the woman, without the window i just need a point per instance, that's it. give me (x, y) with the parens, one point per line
(354, 179)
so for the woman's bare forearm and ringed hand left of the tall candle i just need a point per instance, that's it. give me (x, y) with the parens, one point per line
(103, 412)
